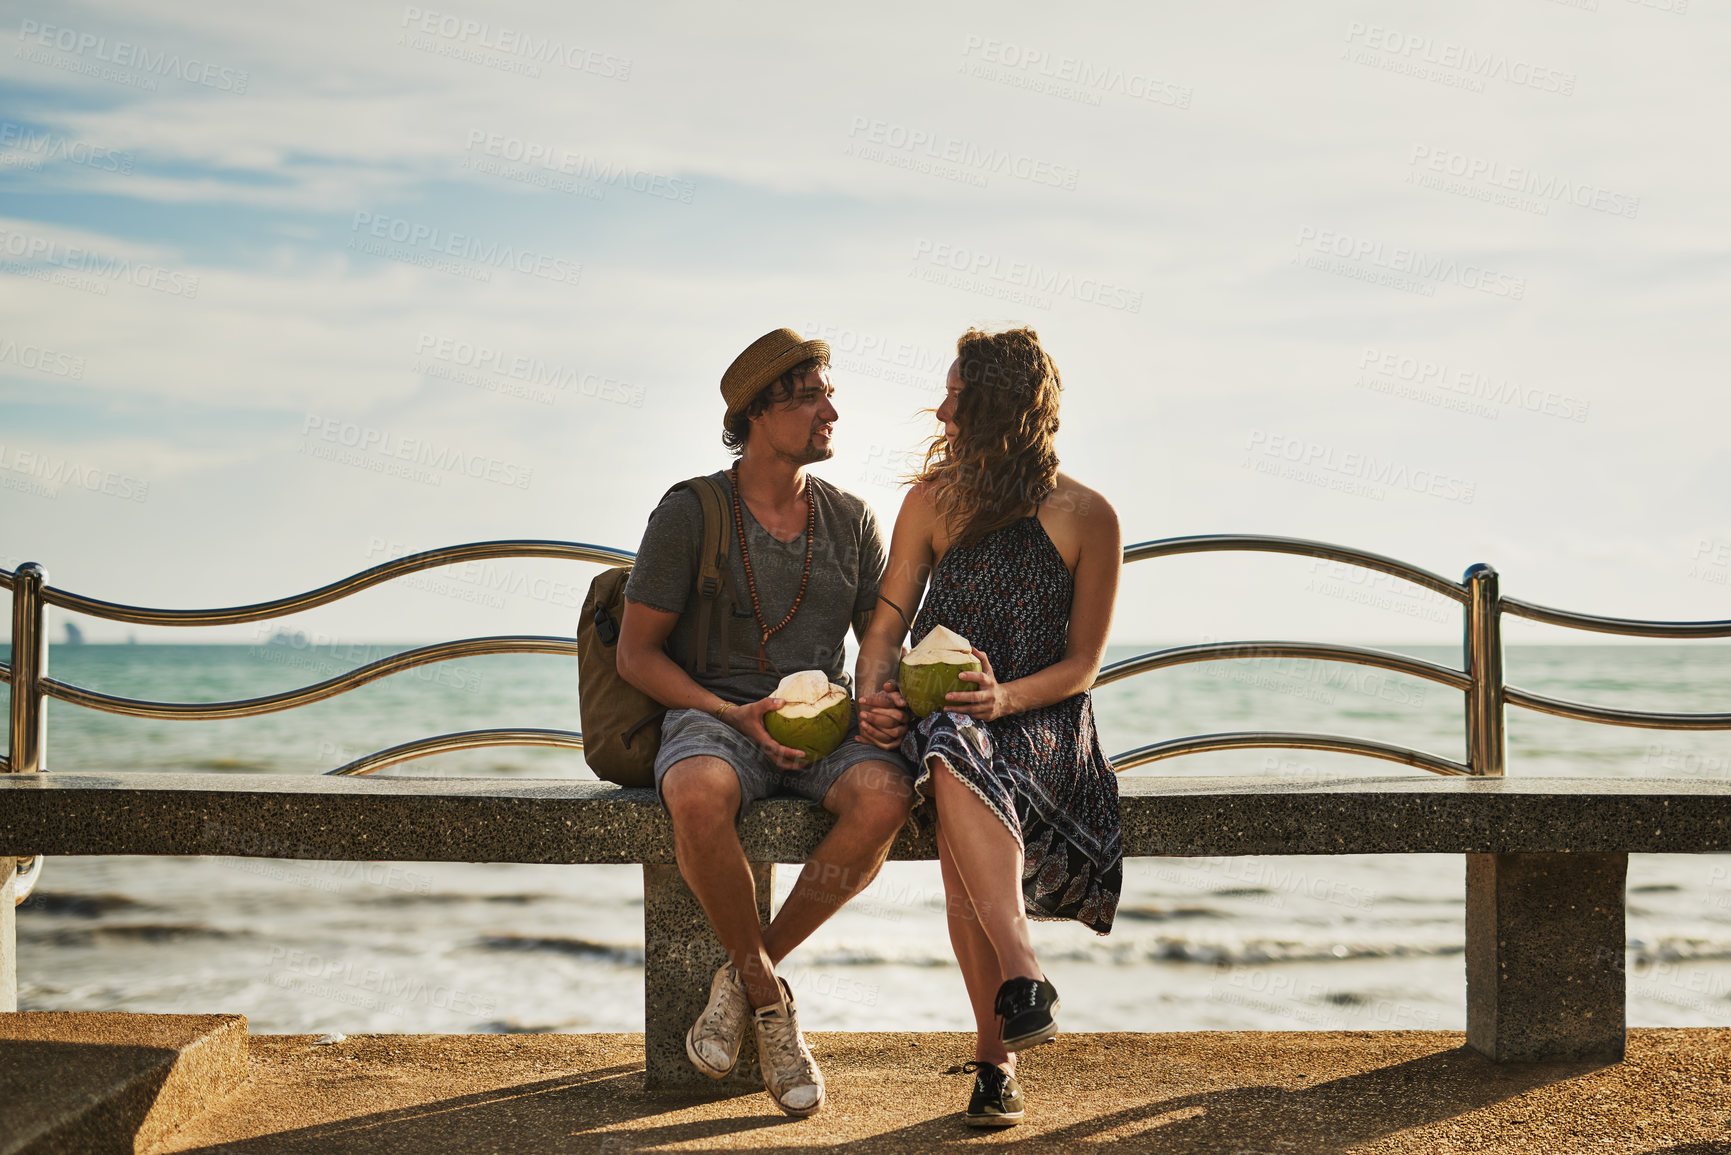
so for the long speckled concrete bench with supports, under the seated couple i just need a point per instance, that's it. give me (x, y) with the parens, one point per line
(1547, 861)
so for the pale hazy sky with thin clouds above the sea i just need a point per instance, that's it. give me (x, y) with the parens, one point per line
(293, 290)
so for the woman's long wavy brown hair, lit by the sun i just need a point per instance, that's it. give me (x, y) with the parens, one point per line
(1003, 463)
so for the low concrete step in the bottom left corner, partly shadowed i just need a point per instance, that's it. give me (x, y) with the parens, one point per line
(87, 1083)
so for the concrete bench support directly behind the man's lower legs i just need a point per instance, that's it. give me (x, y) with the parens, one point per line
(681, 955)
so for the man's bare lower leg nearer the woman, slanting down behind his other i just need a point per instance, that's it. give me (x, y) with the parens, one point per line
(870, 803)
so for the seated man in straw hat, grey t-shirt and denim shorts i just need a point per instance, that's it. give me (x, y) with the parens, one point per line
(806, 562)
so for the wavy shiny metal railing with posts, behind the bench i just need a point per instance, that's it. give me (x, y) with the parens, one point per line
(1481, 678)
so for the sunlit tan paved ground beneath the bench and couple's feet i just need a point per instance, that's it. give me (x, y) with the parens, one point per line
(1242, 1094)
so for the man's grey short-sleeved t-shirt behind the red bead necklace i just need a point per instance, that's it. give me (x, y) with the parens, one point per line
(847, 565)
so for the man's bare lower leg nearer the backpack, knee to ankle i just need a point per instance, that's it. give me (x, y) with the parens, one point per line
(702, 797)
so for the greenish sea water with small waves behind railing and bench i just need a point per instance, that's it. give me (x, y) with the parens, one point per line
(1268, 943)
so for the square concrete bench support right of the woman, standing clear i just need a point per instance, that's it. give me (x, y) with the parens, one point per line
(1545, 957)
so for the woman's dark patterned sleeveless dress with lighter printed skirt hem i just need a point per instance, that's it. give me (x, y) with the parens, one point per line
(1041, 771)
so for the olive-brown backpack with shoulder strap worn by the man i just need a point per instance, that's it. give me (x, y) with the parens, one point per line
(622, 725)
